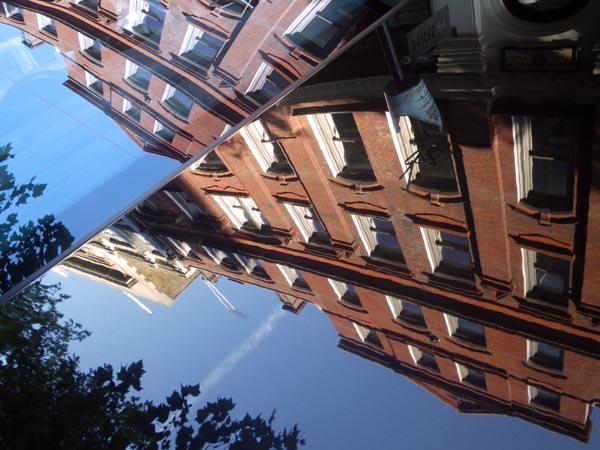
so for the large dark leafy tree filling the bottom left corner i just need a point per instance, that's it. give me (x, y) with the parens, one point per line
(47, 401)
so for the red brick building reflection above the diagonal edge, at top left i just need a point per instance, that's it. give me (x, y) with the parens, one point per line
(176, 75)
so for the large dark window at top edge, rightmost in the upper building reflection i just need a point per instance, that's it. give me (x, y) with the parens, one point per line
(322, 24)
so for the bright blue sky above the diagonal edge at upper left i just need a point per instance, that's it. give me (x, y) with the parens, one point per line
(65, 142)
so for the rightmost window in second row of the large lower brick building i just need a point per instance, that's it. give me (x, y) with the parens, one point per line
(546, 279)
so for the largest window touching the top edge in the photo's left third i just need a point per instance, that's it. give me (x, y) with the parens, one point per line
(145, 20)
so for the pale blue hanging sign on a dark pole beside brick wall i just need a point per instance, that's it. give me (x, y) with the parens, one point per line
(415, 101)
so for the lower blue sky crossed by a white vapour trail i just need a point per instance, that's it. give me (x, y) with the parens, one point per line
(278, 360)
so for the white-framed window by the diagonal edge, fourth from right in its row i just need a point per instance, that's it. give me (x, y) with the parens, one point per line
(267, 151)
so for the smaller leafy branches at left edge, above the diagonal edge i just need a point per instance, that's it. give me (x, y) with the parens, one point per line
(27, 247)
